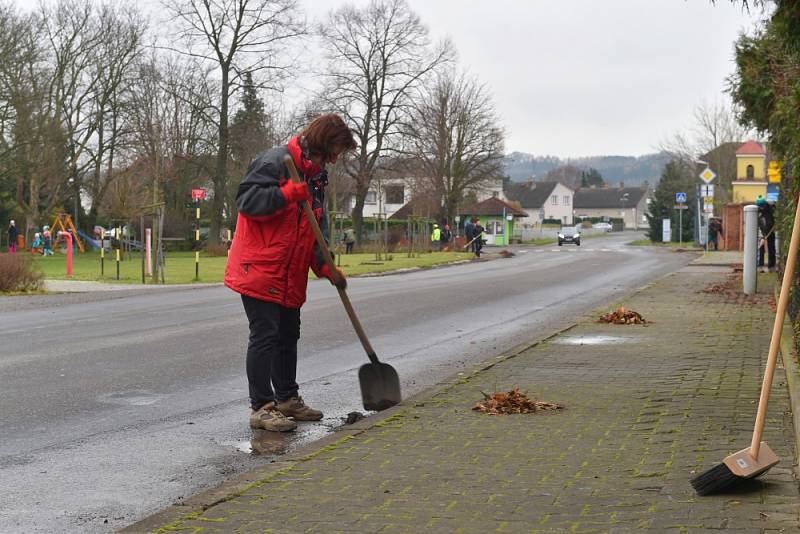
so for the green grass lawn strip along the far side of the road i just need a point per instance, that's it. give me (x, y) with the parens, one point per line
(180, 266)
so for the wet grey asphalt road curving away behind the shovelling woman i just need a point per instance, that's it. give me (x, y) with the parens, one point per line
(114, 407)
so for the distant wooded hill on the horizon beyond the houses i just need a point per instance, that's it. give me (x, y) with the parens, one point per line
(631, 170)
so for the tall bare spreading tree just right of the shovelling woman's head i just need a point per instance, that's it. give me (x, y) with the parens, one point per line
(377, 56)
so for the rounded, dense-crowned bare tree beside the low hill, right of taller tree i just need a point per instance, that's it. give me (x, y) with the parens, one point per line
(456, 134)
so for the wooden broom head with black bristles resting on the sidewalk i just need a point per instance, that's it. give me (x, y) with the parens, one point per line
(736, 468)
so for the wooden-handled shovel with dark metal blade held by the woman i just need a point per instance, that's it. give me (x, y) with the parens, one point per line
(380, 385)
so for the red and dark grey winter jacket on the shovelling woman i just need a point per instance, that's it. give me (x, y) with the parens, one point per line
(274, 246)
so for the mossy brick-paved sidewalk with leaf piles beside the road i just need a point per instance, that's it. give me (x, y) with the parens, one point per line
(646, 408)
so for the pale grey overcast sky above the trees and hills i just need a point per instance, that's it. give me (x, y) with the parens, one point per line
(583, 77)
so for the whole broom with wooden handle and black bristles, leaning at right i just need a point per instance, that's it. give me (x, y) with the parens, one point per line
(758, 458)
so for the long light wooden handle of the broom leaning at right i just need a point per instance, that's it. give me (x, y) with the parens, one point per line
(777, 330)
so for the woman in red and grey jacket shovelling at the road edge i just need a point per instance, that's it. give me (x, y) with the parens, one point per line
(272, 250)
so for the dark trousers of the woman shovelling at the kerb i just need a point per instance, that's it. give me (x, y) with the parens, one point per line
(272, 351)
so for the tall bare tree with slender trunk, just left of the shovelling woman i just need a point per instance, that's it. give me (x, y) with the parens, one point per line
(246, 36)
